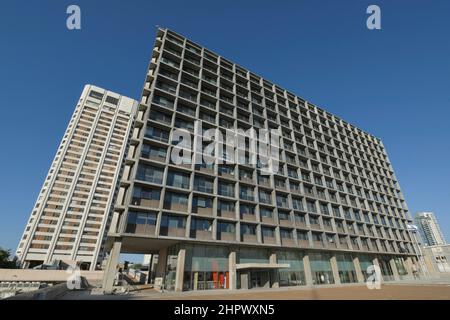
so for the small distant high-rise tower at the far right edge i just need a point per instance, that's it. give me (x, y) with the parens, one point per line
(429, 229)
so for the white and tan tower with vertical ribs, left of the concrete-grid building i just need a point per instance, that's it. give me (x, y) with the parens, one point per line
(71, 214)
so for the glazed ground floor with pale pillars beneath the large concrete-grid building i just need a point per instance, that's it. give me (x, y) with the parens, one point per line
(192, 266)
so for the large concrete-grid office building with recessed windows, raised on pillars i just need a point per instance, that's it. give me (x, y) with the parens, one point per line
(332, 209)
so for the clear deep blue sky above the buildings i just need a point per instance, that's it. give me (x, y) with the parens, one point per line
(393, 83)
